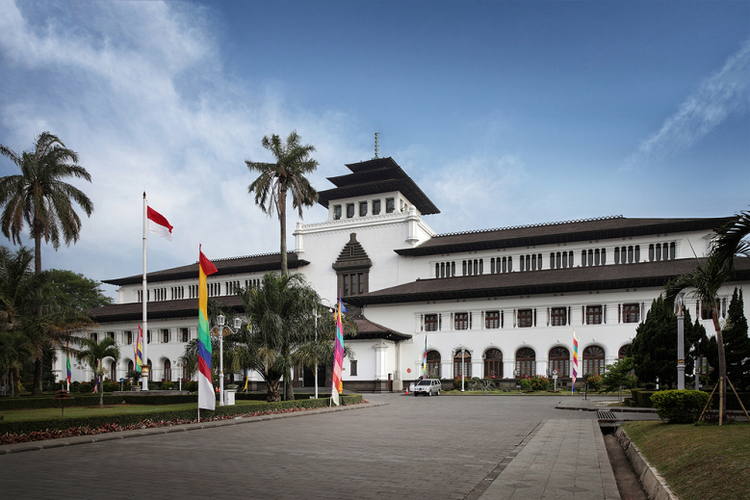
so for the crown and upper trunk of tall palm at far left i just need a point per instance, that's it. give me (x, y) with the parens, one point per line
(39, 198)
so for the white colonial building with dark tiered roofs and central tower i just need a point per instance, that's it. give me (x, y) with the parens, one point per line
(498, 303)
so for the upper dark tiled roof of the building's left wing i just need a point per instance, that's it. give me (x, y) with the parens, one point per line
(234, 265)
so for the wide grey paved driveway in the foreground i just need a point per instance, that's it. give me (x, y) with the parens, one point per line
(404, 448)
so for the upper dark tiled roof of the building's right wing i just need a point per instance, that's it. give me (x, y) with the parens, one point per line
(558, 232)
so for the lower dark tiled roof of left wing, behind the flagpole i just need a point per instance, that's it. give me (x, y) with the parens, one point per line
(158, 310)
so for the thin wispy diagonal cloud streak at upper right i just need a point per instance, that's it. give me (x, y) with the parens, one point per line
(725, 93)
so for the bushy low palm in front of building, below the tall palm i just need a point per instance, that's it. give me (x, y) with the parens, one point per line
(281, 314)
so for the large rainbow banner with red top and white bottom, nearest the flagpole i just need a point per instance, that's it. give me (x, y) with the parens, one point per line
(206, 395)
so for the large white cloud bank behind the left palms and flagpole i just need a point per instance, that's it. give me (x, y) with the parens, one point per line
(141, 95)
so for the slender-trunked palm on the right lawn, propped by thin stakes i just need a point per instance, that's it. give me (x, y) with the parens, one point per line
(705, 281)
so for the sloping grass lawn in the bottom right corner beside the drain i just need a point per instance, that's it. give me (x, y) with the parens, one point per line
(698, 462)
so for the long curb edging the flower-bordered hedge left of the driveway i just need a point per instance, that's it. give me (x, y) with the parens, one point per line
(7, 449)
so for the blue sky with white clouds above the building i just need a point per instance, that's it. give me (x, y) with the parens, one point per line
(505, 113)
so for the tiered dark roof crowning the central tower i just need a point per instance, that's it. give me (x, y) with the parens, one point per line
(380, 175)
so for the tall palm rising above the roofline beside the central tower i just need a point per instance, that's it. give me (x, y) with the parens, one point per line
(286, 176)
